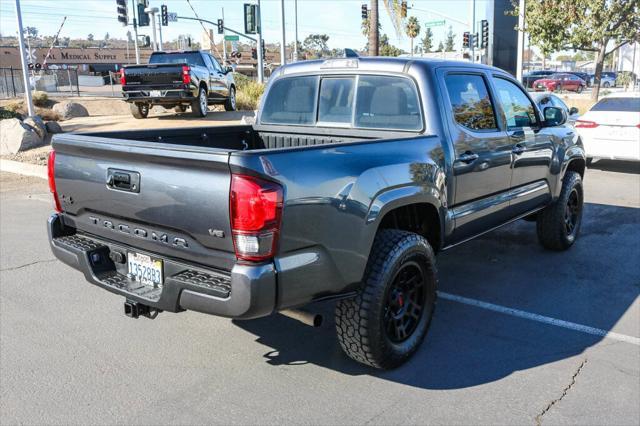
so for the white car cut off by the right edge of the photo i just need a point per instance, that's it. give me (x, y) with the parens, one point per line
(611, 128)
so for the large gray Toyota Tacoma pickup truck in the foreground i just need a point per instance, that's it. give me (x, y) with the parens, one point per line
(355, 174)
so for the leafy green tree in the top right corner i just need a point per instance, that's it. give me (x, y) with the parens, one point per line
(599, 26)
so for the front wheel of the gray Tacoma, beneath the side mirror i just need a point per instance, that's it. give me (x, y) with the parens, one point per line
(559, 223)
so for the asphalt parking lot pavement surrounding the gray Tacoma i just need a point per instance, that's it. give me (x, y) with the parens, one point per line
(518, 337)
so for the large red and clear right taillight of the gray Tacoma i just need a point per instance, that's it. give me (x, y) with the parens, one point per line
(255, 209)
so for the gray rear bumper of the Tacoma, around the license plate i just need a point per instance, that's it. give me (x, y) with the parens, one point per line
(248, 291)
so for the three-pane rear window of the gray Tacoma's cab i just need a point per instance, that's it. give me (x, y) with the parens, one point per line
(363, 101)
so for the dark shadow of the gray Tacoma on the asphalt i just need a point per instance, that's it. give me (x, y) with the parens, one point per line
(592, 284)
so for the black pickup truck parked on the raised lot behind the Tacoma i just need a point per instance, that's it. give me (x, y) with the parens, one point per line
(178, 80)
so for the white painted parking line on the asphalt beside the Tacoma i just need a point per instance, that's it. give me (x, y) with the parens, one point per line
(541, 318)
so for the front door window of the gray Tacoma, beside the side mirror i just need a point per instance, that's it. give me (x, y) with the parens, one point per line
(518, 108)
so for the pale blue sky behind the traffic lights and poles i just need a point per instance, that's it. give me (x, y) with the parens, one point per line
(340, 19)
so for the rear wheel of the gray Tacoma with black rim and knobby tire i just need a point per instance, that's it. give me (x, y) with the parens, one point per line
(384, 324)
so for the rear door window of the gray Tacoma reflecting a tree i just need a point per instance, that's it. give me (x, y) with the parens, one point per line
(469, 97)
